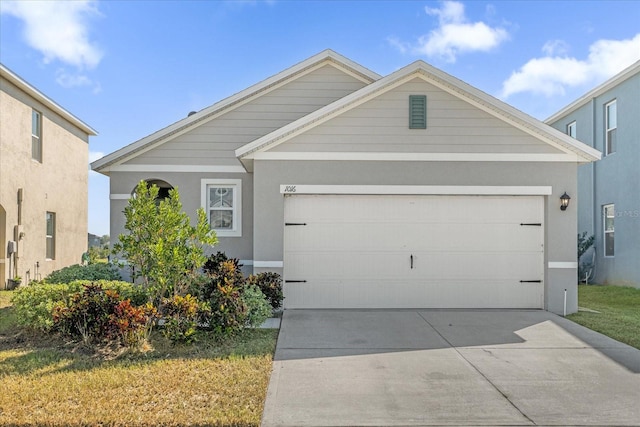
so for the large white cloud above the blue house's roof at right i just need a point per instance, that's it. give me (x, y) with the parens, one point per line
(552, 74)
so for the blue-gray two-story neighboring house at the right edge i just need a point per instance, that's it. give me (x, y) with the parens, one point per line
(608, 119)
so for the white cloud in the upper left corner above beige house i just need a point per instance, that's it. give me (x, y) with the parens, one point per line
(58, 29)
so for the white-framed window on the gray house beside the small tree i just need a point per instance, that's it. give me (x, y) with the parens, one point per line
(222, 201)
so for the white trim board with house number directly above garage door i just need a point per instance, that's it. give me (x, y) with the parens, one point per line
(469, 190)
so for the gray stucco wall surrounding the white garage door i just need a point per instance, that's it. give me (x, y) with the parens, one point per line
(560, 227)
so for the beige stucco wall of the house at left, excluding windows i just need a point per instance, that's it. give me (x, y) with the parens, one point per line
(58, 184)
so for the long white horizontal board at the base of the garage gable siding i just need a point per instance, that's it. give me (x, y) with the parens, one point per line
(418, 157)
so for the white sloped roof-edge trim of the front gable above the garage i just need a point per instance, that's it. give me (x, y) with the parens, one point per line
(419, 69)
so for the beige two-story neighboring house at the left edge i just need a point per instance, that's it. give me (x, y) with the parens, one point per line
(44, 154)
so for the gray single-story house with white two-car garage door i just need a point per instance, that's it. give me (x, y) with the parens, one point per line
(409, 190)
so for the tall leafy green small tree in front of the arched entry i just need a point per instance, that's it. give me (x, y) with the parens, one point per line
(162, 246)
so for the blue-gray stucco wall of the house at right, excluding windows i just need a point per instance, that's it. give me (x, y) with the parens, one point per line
(614, 179)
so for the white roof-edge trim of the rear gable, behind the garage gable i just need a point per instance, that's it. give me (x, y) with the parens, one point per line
(234, 101)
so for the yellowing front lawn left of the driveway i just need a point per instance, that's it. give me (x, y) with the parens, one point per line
(47, 382)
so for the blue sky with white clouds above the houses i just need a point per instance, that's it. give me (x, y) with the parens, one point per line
(129, 68)
